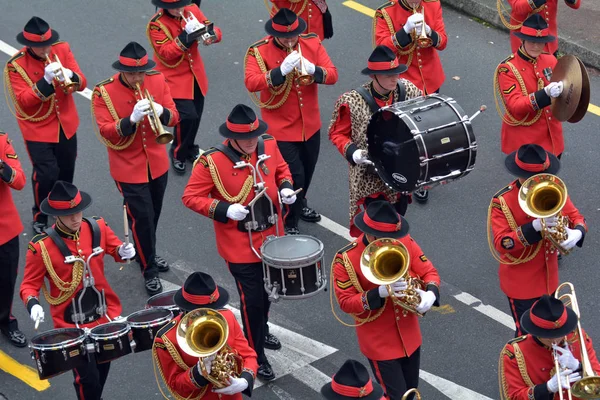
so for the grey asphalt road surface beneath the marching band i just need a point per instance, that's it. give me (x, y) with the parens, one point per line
(461, 344)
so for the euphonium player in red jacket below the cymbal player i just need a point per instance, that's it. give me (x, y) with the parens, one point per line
(528, 261)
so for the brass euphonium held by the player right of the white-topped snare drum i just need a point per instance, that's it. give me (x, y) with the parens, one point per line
(385, 261)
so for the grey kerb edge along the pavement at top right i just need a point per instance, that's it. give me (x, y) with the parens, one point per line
(490, 15)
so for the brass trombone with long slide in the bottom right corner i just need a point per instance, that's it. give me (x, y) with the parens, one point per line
(589, 385)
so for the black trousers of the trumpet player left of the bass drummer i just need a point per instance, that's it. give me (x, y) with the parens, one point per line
(302, 159)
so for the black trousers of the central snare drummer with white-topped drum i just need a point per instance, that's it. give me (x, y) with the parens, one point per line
(255, 304)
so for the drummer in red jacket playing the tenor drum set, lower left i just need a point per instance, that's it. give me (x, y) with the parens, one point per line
(73, 235)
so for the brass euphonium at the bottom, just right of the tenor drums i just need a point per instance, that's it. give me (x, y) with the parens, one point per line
(203, 333)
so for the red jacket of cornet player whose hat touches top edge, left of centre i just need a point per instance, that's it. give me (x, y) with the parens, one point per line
(180, 64)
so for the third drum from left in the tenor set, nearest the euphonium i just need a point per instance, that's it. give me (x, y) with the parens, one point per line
(144, 325)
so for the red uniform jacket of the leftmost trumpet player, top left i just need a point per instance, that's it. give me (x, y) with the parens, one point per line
(42, 110)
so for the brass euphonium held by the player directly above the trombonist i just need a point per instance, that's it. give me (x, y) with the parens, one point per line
(544, 196)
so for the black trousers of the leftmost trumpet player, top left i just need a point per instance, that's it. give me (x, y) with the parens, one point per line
(51, 162)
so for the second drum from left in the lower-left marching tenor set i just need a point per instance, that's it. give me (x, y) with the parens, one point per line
(111, 341)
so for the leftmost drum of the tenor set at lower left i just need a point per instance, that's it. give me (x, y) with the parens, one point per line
(58, 351)
